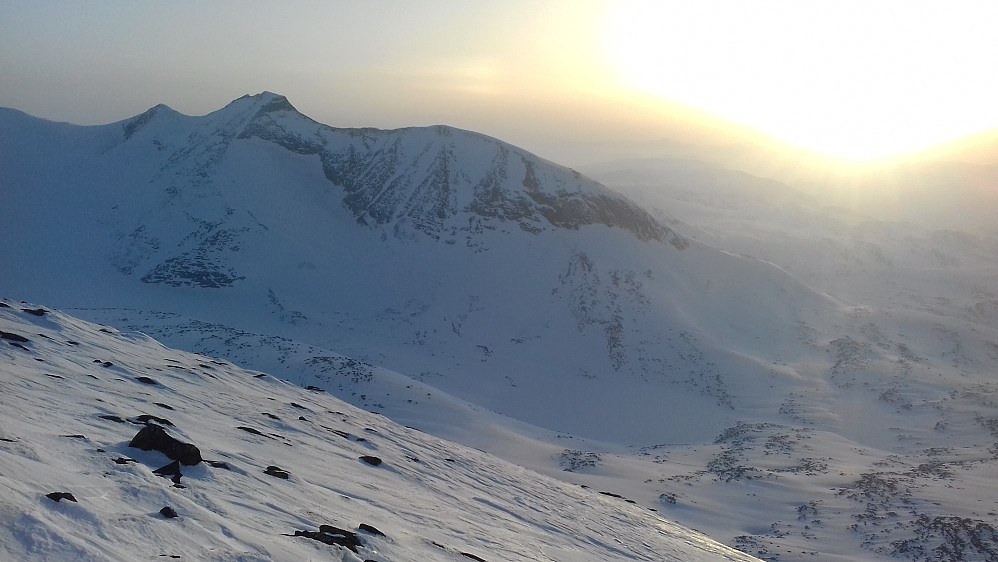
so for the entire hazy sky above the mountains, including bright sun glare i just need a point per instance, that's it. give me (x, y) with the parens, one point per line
(849, 77)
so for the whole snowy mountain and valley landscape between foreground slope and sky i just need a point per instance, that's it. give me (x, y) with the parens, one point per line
(794, 380)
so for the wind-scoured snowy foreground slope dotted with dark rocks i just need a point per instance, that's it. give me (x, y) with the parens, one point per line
(433, 500)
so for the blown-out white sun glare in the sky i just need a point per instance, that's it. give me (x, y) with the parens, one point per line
(858, 80)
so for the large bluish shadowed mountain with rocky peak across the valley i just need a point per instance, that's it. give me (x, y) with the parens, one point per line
(443, 254)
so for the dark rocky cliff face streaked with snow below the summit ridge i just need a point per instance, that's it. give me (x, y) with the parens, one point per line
(436, 180)
